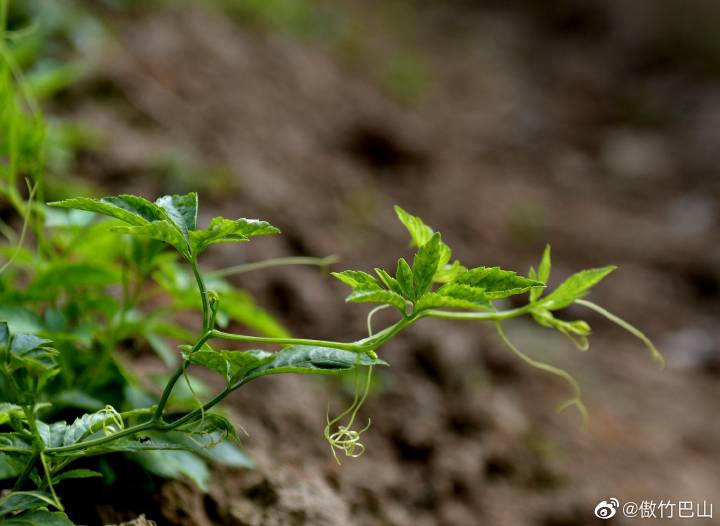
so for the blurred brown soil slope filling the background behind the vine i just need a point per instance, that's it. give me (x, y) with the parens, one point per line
(586, 124)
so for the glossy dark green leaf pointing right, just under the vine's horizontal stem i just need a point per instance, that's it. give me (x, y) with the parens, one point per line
(307, 359)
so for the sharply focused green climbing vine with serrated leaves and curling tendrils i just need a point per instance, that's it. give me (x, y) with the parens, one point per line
(432, 286)
